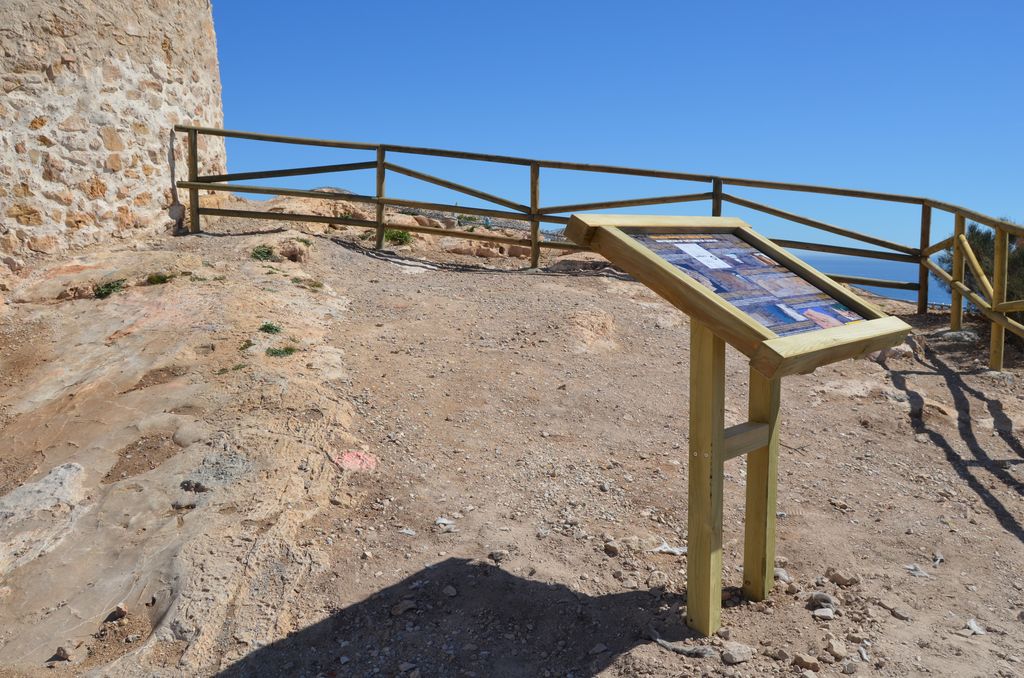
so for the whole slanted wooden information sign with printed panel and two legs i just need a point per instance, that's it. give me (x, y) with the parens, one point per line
(739, 288)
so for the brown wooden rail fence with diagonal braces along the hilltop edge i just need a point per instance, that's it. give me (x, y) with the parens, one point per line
(992, 303)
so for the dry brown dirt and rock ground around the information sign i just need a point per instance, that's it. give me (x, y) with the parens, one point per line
(429, 464)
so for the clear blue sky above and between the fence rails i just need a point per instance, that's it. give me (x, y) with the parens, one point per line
(914, 98)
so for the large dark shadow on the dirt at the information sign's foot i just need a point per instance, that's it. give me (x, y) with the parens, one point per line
(495, 625)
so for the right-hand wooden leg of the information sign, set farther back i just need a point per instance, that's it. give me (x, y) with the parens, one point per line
(762, 484)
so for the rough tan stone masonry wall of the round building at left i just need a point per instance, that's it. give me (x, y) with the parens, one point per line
(90, 92)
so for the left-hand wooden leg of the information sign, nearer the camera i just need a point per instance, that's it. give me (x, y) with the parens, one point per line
(704, 573)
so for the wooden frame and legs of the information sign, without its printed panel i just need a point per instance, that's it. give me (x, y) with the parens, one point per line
(713, 323)
